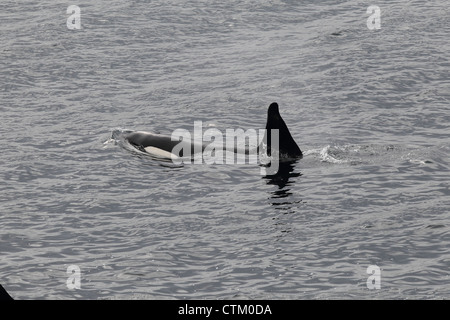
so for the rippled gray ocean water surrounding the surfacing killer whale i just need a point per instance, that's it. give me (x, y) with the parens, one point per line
(369, 109)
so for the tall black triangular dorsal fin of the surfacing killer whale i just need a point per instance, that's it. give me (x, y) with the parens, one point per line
(287, 145)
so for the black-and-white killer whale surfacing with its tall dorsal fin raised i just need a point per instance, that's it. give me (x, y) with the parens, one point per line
(163, 145)
